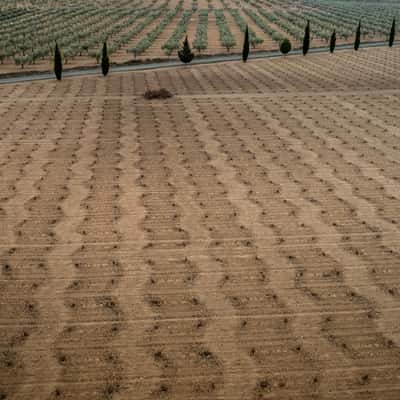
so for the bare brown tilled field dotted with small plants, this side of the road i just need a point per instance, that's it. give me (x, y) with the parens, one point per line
(238, 241)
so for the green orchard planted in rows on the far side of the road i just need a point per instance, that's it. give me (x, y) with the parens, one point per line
(29, 28)
